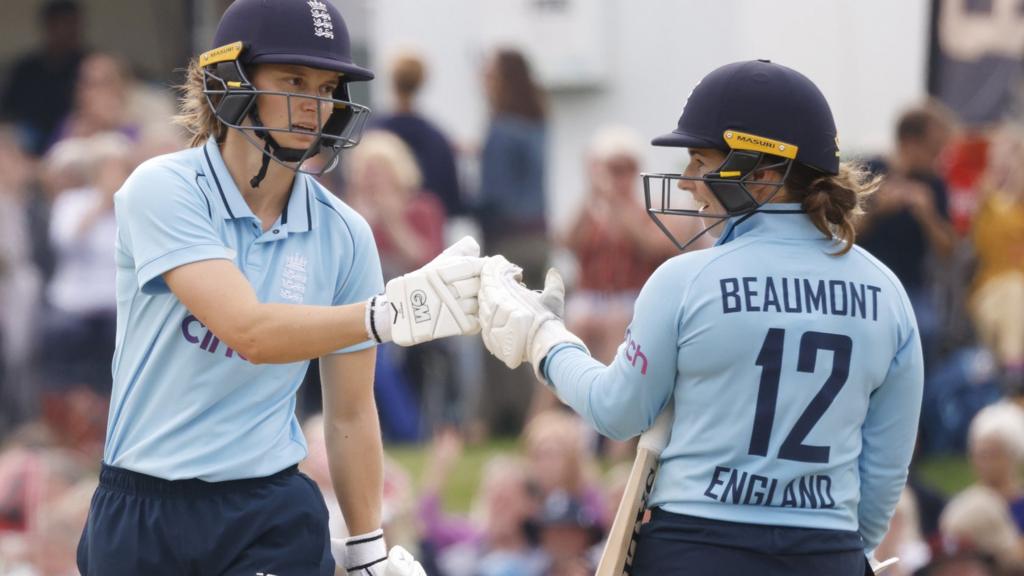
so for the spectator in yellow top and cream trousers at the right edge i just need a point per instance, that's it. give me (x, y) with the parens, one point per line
(997, 303)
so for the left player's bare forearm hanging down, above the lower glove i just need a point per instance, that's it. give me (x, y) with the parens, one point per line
(356, 458)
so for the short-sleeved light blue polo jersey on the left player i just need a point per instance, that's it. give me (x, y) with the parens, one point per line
(185, 404)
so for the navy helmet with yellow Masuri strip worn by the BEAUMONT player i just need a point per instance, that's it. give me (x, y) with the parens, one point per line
(764, 116)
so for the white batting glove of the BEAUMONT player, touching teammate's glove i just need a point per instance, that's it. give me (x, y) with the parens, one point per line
(520, 324)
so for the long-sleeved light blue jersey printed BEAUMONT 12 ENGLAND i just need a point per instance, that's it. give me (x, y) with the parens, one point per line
(796, 376)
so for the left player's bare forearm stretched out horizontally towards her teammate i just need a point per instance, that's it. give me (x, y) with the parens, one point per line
(276, 334)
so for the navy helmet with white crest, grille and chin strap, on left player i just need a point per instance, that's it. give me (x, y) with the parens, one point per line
(310, 33)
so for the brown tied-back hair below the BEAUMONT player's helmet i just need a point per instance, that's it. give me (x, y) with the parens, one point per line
(833, 202)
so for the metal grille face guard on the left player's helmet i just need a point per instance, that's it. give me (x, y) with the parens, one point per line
(233, 98)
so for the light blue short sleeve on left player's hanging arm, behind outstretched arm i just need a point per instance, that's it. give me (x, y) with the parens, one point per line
(362, 278)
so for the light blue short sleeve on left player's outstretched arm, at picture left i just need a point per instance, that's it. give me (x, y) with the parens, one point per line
(165, 222)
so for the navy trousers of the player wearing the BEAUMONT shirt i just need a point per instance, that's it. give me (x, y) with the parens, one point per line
(673, 544)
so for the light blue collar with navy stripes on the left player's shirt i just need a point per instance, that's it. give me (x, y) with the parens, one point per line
(296, 217)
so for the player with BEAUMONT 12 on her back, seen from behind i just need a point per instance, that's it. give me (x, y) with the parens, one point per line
(791, 356)
